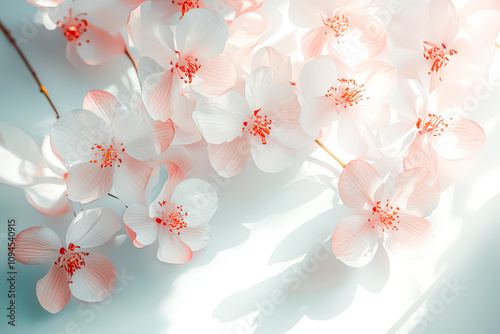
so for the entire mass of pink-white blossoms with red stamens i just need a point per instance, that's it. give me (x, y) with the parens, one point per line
(387, 89)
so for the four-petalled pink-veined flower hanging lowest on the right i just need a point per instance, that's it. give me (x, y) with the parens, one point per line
(389, 211)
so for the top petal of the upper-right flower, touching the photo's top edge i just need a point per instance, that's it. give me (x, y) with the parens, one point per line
(444, 23)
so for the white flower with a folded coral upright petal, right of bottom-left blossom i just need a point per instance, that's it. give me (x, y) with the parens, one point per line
(178, 218)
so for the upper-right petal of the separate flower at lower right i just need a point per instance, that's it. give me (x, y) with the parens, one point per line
(417, 191)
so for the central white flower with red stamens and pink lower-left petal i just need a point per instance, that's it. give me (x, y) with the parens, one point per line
(265, 123)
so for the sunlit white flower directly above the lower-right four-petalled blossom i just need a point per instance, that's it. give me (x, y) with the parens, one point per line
(356, 98)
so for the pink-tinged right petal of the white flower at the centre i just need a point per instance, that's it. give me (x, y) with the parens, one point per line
(286, 128)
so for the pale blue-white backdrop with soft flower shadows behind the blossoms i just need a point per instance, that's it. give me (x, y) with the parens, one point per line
(269, 267)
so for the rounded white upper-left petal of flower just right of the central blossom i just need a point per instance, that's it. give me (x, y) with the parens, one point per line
(318, 76)
